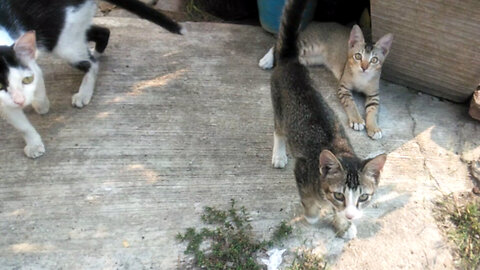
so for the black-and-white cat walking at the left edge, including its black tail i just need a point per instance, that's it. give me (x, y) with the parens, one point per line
(63, 28)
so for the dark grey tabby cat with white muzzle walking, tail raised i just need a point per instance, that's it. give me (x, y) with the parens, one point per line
(327, 169)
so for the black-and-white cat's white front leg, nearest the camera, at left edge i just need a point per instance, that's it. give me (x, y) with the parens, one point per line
(16, 117)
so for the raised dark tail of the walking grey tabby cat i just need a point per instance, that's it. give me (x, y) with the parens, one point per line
(286, 47)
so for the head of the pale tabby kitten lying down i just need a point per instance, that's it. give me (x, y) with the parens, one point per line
(364, 57)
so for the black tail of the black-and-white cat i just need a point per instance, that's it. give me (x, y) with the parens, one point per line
(148, 13)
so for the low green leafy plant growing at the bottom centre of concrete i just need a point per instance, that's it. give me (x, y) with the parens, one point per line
(230, 243)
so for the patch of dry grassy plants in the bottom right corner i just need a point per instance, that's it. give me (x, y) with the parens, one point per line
(463, 218)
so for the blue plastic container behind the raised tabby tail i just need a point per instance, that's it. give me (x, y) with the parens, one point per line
(270, 12)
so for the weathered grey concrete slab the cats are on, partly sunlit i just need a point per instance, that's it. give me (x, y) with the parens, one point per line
(179, 123)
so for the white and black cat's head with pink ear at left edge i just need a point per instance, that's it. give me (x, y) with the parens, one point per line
(18, 71)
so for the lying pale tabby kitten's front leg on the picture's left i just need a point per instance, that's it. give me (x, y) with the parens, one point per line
(355, 120)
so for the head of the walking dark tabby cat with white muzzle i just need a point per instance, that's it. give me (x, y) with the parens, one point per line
(349, 183)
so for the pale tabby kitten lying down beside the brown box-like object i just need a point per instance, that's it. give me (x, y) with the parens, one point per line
(356, 64)
